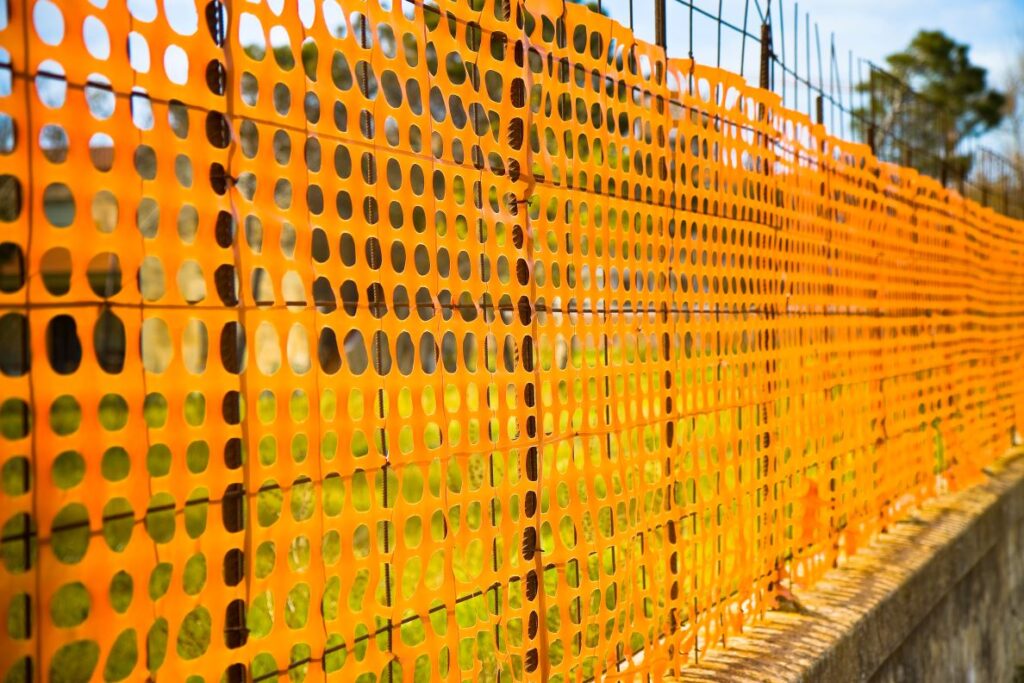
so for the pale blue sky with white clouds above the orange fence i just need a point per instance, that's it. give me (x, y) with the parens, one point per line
(872, 29)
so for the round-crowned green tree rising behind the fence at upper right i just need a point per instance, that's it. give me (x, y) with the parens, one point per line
(930, 101)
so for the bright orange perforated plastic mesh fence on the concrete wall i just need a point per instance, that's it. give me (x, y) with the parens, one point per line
(386, 340)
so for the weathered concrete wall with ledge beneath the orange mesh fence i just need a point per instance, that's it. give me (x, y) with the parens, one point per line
(918, 604)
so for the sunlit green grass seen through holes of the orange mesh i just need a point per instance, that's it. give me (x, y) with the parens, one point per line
(364, 494)
